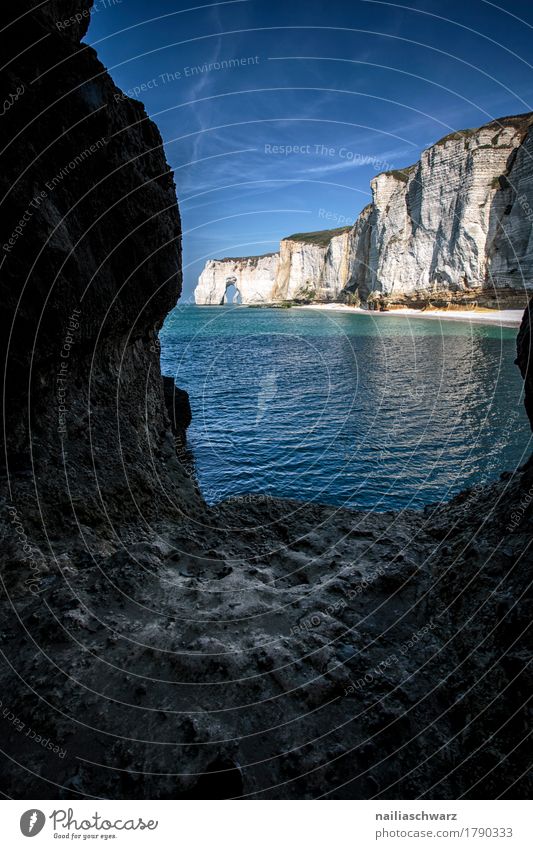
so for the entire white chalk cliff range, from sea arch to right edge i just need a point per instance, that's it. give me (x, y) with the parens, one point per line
(456, 227)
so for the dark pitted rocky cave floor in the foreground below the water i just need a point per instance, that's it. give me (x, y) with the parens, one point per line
(275, 649)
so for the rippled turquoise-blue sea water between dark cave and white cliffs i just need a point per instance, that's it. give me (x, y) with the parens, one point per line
(373, 412)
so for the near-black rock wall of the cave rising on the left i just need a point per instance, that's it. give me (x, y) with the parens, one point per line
(91, 264)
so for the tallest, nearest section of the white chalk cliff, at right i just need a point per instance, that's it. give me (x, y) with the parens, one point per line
(440, 230)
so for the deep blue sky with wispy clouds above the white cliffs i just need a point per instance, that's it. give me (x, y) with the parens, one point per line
(305, 101)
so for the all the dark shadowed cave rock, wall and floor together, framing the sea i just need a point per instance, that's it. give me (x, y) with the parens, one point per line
(152, 647)
